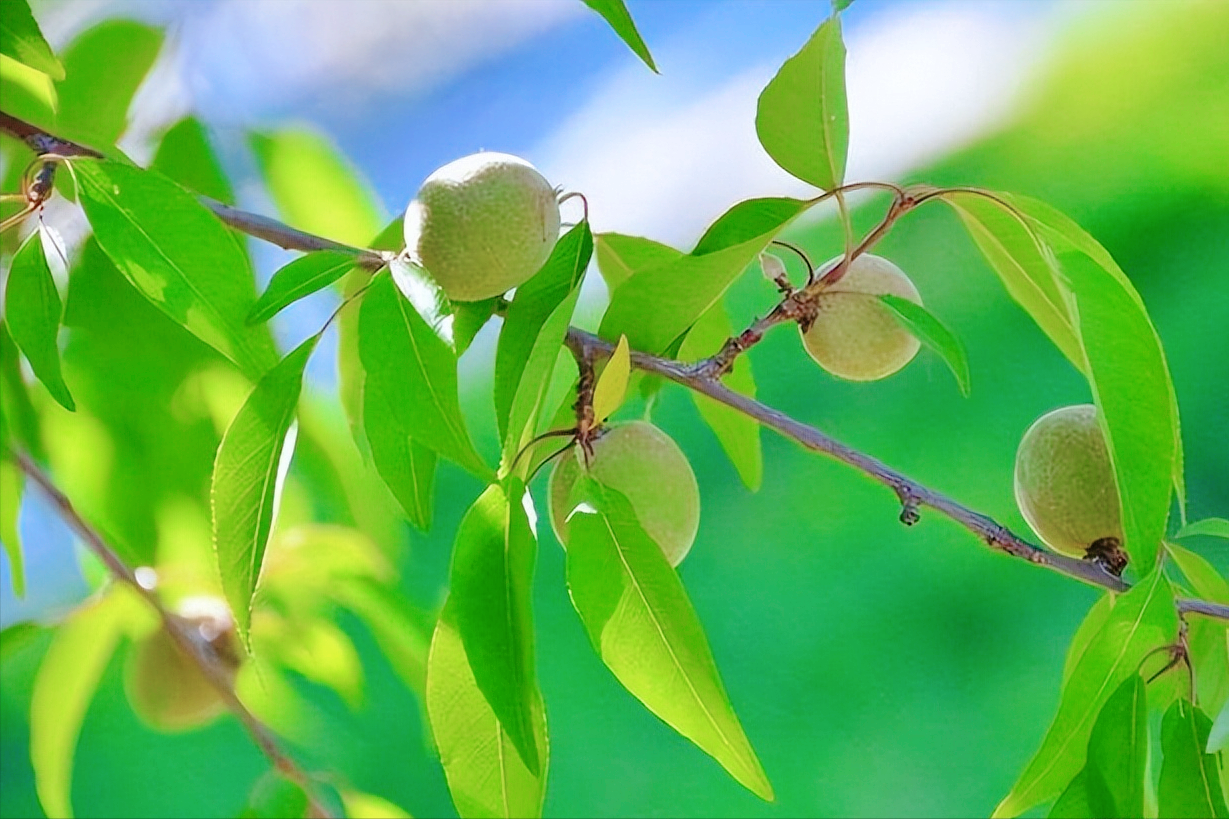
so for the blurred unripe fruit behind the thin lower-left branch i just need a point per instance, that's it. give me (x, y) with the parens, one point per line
(165, 687)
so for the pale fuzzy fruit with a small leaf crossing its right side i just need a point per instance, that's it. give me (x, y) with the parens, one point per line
(855, 336)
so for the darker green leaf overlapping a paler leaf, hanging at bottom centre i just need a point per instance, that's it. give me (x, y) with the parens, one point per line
(491, 588)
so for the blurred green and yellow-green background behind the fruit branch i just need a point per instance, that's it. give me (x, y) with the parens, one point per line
(878, 671)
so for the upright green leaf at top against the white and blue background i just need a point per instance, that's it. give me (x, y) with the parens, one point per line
(803, 119)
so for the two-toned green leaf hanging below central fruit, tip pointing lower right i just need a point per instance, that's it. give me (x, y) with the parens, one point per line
(646, 630)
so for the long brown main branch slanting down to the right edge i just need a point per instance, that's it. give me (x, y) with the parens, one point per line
(701, 379)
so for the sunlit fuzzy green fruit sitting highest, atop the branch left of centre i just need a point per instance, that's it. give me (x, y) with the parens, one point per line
(484, 226)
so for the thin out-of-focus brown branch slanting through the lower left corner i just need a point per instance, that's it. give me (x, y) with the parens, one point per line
(178, 628)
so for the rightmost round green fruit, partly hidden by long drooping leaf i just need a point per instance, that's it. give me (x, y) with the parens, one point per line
(1065, 483)
